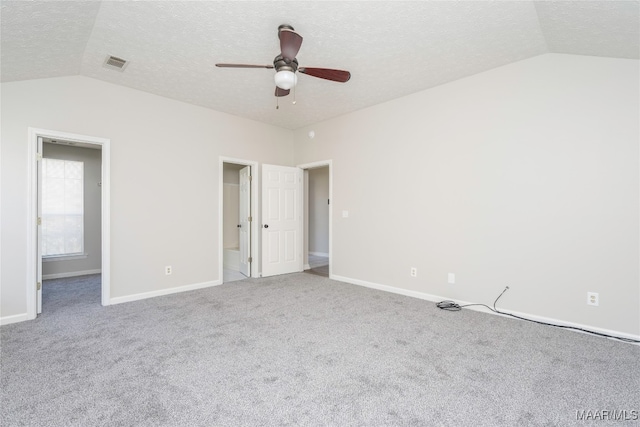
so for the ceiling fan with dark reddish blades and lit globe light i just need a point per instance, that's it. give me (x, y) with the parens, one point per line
(286, 64)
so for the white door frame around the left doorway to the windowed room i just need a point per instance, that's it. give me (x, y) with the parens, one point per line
(32, 210)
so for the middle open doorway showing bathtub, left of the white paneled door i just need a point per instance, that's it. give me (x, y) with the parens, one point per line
(237, 228)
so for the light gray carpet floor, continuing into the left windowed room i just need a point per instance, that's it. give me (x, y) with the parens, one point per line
(300, 350)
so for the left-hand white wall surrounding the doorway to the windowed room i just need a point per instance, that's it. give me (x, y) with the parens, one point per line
(164, 178)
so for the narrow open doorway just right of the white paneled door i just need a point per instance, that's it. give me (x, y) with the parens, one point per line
(317, 201)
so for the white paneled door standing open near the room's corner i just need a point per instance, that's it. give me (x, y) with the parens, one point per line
(281, 220)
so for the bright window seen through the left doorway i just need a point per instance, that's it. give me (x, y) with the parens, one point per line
(62, 207)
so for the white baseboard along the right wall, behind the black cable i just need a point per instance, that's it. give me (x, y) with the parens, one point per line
(437, 298)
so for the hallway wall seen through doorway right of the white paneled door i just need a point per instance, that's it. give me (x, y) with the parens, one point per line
(318, 210)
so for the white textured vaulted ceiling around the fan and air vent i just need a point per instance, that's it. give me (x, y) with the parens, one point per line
(392, 48)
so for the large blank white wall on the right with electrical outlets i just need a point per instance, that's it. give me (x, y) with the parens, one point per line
(526, 175)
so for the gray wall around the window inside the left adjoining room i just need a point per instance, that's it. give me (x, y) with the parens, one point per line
(92, 160)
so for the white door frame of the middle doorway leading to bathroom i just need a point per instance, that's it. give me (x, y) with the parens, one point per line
(254, 212)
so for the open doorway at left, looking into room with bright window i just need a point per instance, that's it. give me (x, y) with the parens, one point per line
(69, 187)
